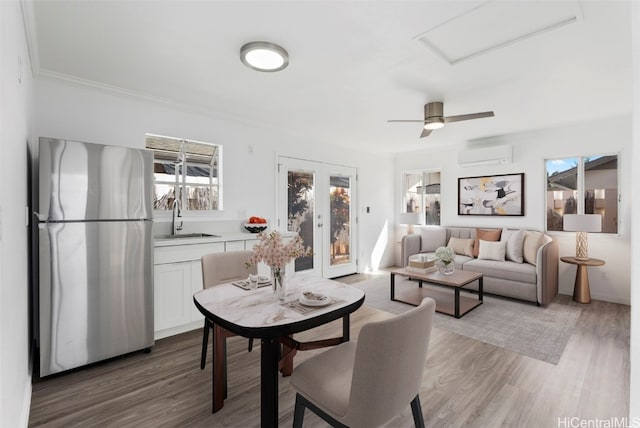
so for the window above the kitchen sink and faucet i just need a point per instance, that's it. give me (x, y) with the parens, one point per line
(186, 170)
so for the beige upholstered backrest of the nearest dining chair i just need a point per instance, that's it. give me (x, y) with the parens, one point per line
(389, 365)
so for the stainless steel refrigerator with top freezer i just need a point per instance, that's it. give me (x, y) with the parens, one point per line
(95, 253)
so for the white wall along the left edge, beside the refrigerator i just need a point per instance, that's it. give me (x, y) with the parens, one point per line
(16, 101)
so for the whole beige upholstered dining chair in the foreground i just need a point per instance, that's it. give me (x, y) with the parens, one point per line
(368, 382)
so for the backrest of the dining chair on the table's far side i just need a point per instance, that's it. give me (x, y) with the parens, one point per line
(218, 268)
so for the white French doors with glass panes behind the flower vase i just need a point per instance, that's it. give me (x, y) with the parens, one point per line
(317, 201)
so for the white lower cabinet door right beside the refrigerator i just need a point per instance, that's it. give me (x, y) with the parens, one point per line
(172, 295)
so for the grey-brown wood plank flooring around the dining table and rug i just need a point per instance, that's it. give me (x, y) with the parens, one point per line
(466, 382)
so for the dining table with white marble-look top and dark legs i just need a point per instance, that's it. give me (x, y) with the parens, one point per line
(258, 314)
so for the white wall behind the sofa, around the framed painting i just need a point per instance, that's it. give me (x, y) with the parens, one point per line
(610, 282)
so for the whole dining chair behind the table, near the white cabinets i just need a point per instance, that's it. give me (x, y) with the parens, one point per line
(218, 268)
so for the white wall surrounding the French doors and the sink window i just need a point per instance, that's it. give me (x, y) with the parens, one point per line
(70, 111)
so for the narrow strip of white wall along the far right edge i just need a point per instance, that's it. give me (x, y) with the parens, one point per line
(634, 396)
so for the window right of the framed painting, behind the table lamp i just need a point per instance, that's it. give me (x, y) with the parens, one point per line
(583, 185)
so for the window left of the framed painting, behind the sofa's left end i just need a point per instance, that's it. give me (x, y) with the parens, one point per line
(421, 194)
